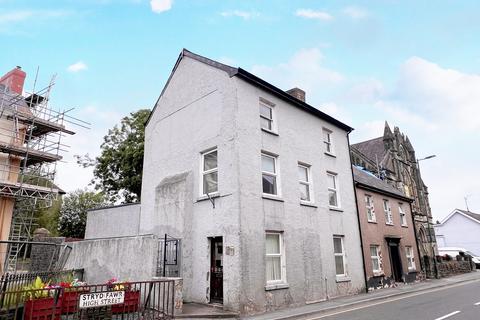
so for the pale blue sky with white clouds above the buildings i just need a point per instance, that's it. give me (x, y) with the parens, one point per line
(415, 64)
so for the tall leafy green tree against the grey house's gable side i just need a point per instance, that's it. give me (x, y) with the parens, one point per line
(118, 169)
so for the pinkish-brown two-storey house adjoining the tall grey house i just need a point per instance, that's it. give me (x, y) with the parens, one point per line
(388, 234)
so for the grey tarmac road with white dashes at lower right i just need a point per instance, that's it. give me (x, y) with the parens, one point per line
(457, 302)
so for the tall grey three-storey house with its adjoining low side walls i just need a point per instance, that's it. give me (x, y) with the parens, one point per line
(256, 183)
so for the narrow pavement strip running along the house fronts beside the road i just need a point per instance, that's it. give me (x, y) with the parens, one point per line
(320, 311)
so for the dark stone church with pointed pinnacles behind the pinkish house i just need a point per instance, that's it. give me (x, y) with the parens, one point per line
(392, 158)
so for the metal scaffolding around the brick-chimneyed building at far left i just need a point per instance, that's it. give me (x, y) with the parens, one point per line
(30, 147)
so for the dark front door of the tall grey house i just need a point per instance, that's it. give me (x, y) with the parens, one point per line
(216, 270)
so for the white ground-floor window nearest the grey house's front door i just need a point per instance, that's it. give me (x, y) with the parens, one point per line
(275, 258)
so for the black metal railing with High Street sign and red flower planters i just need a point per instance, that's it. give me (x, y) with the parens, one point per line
(134, 300)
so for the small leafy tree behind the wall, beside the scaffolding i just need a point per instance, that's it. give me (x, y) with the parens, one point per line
(73, 213)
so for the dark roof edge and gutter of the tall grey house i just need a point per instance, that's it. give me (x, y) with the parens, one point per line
(258, 82)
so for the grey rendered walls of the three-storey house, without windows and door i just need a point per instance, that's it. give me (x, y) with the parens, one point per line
(203, 107)
